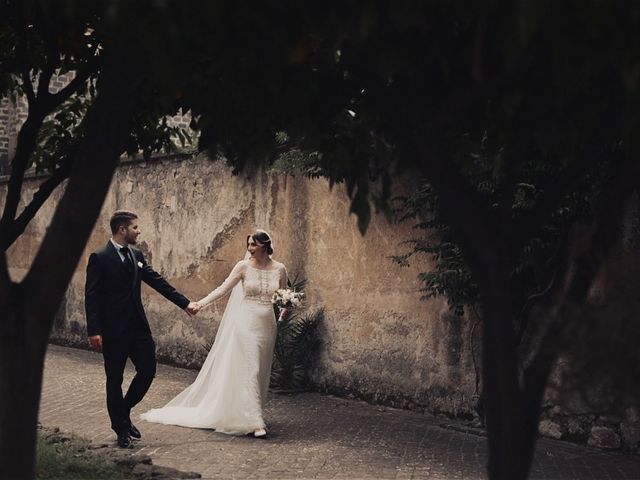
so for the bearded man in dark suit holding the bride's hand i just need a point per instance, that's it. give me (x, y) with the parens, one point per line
(116, 321)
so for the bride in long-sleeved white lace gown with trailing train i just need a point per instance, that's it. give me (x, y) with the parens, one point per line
(230, 390)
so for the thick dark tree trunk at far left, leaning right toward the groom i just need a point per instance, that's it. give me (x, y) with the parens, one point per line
(27, 309)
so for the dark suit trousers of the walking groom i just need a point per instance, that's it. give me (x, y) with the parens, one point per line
(138, 345)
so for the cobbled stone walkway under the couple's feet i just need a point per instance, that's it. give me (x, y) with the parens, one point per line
(311, 435)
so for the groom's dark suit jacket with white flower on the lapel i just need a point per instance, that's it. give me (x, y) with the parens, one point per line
(112, 294)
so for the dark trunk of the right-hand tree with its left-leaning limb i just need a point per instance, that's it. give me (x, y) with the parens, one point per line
(485, 248)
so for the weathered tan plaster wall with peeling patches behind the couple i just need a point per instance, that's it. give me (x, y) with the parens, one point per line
(379, 339)
